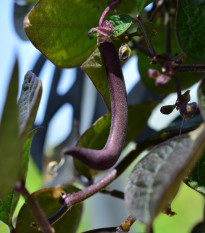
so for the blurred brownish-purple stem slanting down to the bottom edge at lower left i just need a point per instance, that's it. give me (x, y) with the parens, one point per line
(34, 207)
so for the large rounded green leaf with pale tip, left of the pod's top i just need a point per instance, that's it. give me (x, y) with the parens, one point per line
(67, 23)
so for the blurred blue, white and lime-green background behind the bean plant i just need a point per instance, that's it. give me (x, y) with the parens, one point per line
(68, 97)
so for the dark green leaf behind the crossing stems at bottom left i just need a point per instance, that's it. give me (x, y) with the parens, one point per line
(48, 200)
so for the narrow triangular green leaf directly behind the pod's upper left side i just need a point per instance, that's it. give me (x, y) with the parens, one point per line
(94, 67)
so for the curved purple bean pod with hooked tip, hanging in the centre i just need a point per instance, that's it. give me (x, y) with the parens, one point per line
(108, 156)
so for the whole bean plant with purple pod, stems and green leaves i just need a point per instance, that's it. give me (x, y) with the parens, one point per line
(100, 36)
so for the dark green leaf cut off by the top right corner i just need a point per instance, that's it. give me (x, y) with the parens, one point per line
(190, 28)
